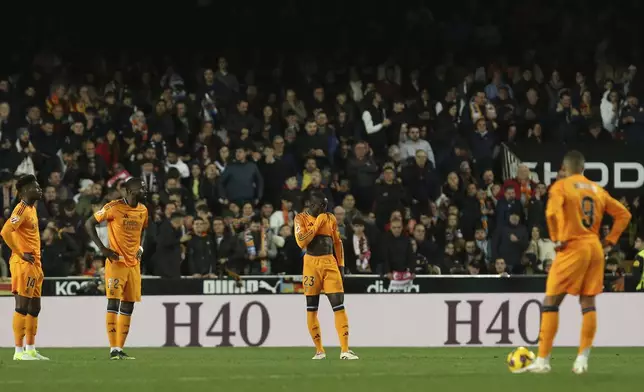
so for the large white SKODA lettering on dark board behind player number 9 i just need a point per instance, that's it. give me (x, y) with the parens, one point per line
(636, 174)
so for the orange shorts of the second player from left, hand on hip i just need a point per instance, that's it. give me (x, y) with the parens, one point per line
(122, 282)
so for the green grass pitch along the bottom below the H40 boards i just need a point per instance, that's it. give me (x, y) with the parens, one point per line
(291, 369)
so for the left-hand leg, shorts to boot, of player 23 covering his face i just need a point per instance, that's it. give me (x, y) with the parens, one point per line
(312, 282)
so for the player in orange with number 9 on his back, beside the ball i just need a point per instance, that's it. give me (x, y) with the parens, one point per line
(574, 213)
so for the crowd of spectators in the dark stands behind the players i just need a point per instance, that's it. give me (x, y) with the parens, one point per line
(405, 147)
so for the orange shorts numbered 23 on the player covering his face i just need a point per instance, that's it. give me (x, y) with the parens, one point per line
(321, 273)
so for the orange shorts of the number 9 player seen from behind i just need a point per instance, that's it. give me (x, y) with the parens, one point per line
(578, 269)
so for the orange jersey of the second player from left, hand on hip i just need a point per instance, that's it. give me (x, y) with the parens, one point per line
(124, 227)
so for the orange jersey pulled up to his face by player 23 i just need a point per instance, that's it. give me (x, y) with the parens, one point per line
(308, 227)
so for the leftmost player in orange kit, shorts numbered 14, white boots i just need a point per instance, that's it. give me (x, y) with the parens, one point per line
(22, 235)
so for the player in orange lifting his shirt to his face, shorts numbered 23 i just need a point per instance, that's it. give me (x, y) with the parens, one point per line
(317, 232)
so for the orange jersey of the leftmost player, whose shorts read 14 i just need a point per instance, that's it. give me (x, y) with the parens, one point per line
(23, 225)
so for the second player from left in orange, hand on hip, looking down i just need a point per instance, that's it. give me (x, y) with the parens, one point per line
(127, 220)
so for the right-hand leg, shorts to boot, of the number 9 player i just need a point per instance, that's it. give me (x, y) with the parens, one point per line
(593, 285)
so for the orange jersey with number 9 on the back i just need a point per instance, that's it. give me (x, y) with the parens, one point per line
(576, 207)
